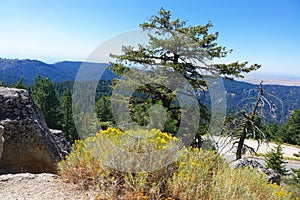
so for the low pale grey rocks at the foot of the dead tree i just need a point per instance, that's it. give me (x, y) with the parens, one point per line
(273, 177)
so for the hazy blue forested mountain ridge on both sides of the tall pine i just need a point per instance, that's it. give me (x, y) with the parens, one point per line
(280, 100)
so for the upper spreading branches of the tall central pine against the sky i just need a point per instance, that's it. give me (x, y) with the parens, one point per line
(189, 43)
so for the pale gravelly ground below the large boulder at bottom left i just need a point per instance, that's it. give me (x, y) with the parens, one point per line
(26, 186)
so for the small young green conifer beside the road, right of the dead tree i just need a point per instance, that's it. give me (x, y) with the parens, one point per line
(274, 160)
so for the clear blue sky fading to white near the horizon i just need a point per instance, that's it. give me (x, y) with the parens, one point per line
(261, 31)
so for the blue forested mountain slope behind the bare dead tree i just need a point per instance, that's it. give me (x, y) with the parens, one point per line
(280, 101)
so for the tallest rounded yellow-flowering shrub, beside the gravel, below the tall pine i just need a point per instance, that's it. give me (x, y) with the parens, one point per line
(87, 165)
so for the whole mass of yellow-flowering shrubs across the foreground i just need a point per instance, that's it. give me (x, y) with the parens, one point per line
(196, 174)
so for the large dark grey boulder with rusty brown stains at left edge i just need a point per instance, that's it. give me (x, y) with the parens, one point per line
(29, 144)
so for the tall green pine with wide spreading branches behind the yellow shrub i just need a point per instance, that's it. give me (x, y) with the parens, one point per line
(181, 49)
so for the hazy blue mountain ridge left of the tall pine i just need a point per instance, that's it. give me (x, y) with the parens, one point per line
(11, 70)
